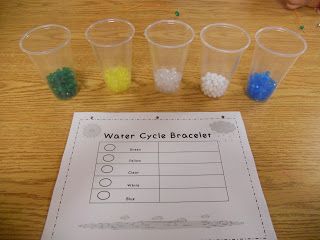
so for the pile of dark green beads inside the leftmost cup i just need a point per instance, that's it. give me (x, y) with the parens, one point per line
(63, 83)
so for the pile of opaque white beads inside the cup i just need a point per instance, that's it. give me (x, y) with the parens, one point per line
(214, 85)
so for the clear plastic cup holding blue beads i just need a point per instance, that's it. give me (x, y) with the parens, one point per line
(276, 50)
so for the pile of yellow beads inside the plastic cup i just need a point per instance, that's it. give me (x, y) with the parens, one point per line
(118, 79)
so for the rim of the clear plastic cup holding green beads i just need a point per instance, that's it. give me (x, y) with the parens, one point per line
(59, 46)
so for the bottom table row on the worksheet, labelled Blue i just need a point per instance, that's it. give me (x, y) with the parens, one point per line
(159, 195)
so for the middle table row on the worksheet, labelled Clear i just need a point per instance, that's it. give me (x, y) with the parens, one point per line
(157, 169)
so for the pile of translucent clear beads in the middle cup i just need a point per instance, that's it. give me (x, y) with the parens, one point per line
(167, 80)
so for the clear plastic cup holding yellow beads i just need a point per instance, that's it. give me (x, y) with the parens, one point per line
(111, 41)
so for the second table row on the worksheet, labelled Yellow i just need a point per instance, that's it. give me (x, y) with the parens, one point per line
(168, 158)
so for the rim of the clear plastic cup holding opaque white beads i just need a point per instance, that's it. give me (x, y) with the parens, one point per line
(205, 28)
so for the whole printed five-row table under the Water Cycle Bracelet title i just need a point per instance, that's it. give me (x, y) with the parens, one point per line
(158, 172)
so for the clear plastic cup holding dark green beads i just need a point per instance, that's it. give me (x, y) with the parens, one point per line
(48, 46)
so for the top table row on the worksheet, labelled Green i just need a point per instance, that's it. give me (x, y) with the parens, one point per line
(158, 146)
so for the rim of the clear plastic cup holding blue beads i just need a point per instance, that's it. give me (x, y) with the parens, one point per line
(282, 29)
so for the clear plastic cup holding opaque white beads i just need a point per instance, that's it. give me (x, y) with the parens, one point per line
(222, 47)
